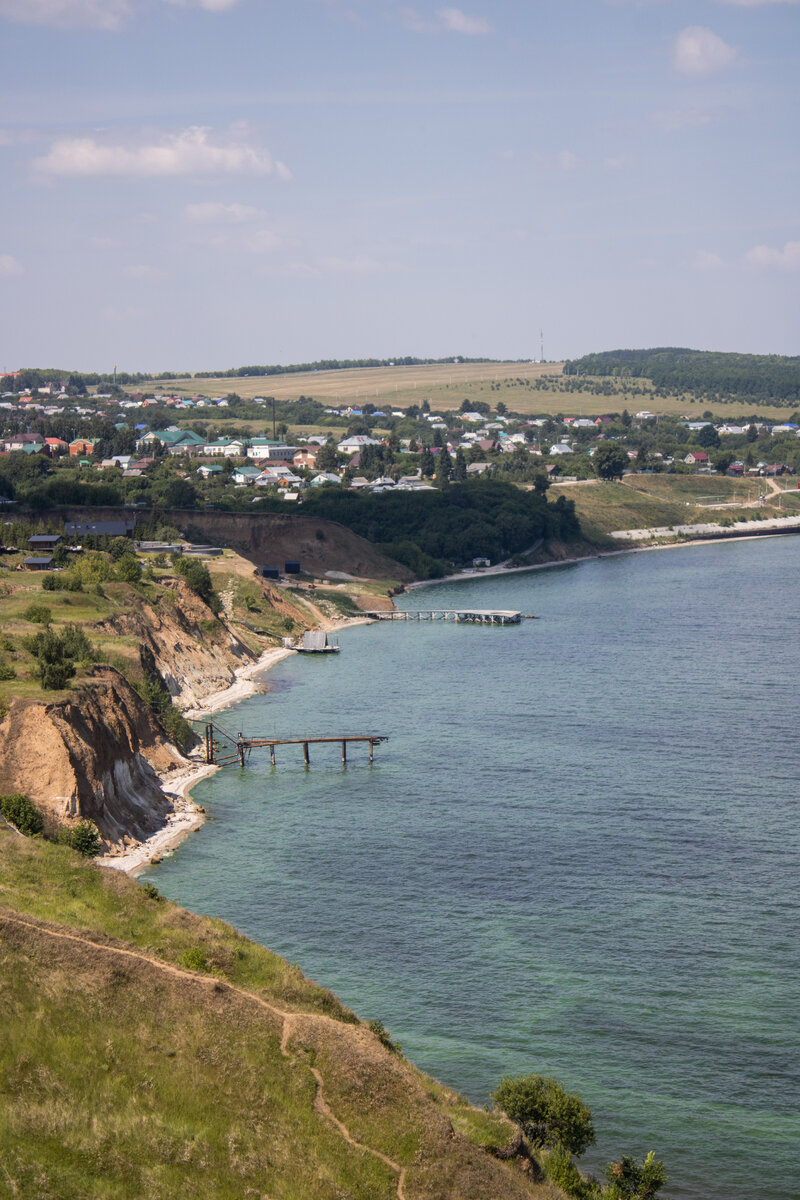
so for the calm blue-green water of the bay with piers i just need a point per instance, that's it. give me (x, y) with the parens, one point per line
(578, 855)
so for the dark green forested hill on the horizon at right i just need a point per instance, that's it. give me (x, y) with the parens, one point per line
(759, 379)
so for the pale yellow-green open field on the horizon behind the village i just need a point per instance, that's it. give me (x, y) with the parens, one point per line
(446, 386)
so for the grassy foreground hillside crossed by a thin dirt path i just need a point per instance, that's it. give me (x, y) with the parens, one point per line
(147, 1052)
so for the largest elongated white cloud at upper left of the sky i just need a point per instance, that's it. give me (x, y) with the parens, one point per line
(188, 153)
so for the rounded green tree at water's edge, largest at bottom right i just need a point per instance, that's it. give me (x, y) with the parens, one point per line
(548, 1114)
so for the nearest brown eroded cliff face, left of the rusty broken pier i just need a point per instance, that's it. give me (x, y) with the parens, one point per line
(94, 755)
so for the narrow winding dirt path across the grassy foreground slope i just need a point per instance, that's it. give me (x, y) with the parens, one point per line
(288, 1021)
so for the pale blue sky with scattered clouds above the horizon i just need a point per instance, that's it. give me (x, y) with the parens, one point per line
(208, 184)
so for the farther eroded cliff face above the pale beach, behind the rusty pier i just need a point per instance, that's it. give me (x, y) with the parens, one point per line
(193, 661)
